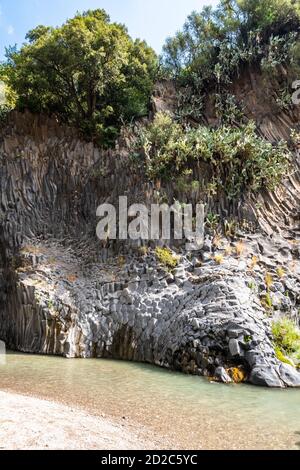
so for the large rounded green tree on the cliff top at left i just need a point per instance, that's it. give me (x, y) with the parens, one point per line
(88, 72)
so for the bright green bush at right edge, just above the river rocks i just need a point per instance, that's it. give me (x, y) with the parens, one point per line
(286, 340)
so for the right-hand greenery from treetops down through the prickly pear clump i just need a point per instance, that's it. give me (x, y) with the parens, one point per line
(203, 59)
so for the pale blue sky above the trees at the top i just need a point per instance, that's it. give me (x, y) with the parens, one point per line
(152, 20)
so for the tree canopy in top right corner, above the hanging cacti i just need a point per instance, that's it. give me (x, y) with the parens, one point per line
(235, 25)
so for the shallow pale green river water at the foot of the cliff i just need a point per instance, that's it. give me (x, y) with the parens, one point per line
(189, 411)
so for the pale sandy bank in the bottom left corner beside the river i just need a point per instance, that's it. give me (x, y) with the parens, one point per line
(31, 423)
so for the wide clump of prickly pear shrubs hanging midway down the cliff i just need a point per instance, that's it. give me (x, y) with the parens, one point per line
(237, 158)
